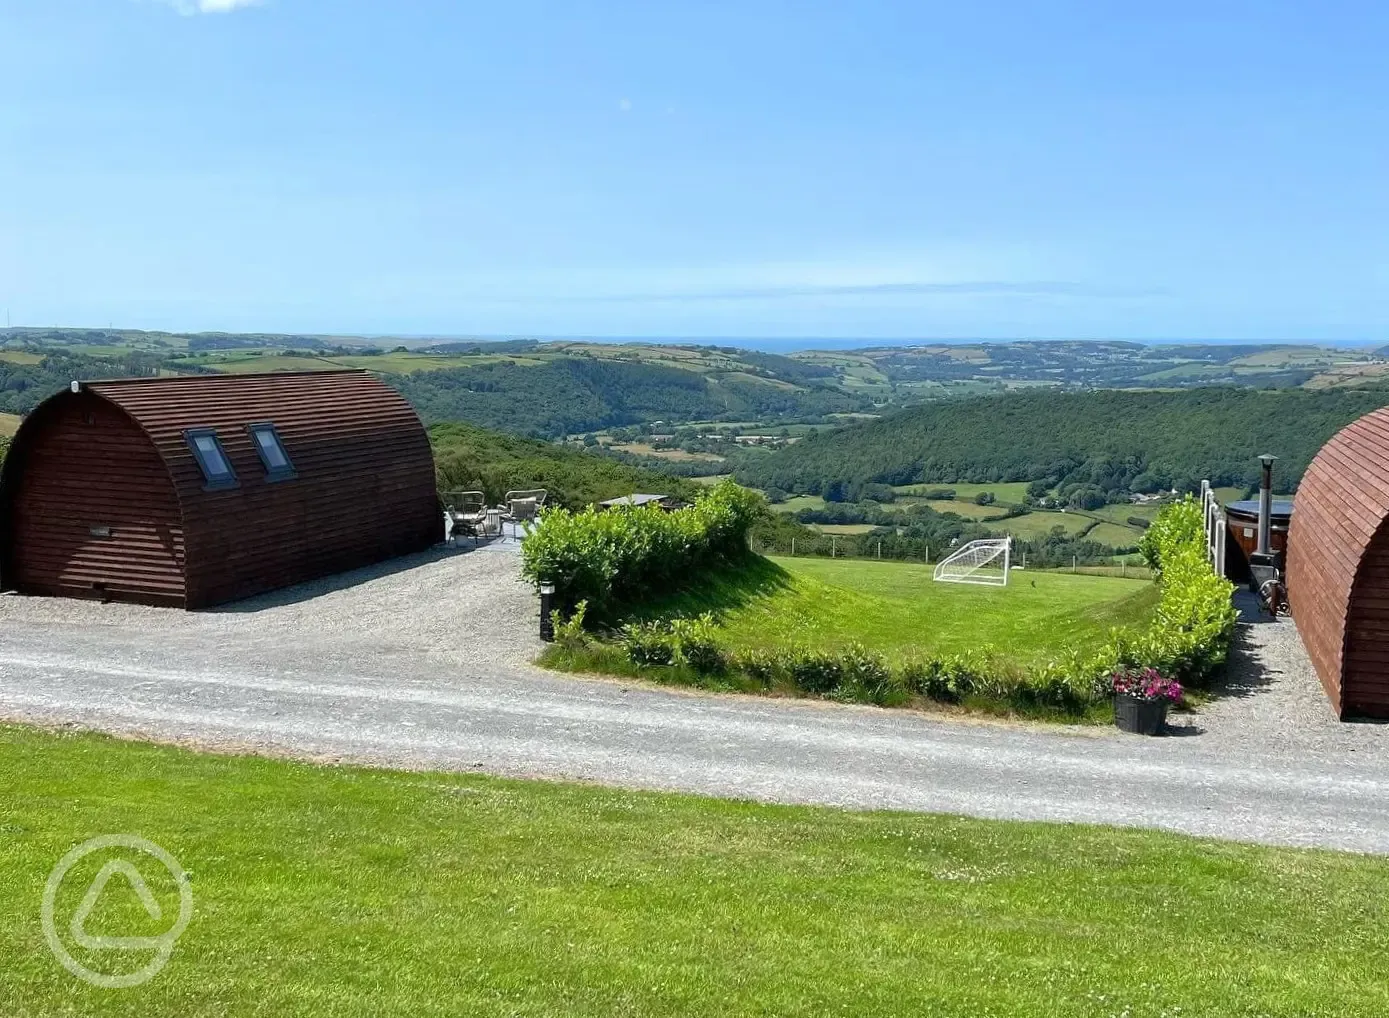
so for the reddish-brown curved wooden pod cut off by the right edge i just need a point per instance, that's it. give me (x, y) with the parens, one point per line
(1338, 567)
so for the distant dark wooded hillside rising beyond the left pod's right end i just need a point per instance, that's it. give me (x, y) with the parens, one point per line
(584, 395)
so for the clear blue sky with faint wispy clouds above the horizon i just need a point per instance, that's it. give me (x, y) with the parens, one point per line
(870, 170)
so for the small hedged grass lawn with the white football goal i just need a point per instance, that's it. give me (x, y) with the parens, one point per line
(894, 608)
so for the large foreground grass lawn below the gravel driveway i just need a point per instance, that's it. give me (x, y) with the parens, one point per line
(356, 892)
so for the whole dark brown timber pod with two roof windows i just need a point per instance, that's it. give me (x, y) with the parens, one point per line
(316, 473)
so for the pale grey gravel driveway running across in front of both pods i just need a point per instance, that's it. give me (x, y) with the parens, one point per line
(426, 663)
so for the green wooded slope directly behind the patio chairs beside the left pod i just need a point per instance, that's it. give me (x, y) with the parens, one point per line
(472, 459)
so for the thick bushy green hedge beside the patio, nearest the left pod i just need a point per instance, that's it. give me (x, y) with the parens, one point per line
(622, 555)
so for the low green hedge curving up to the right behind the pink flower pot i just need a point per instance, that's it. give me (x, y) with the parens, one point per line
(1188, 641)
